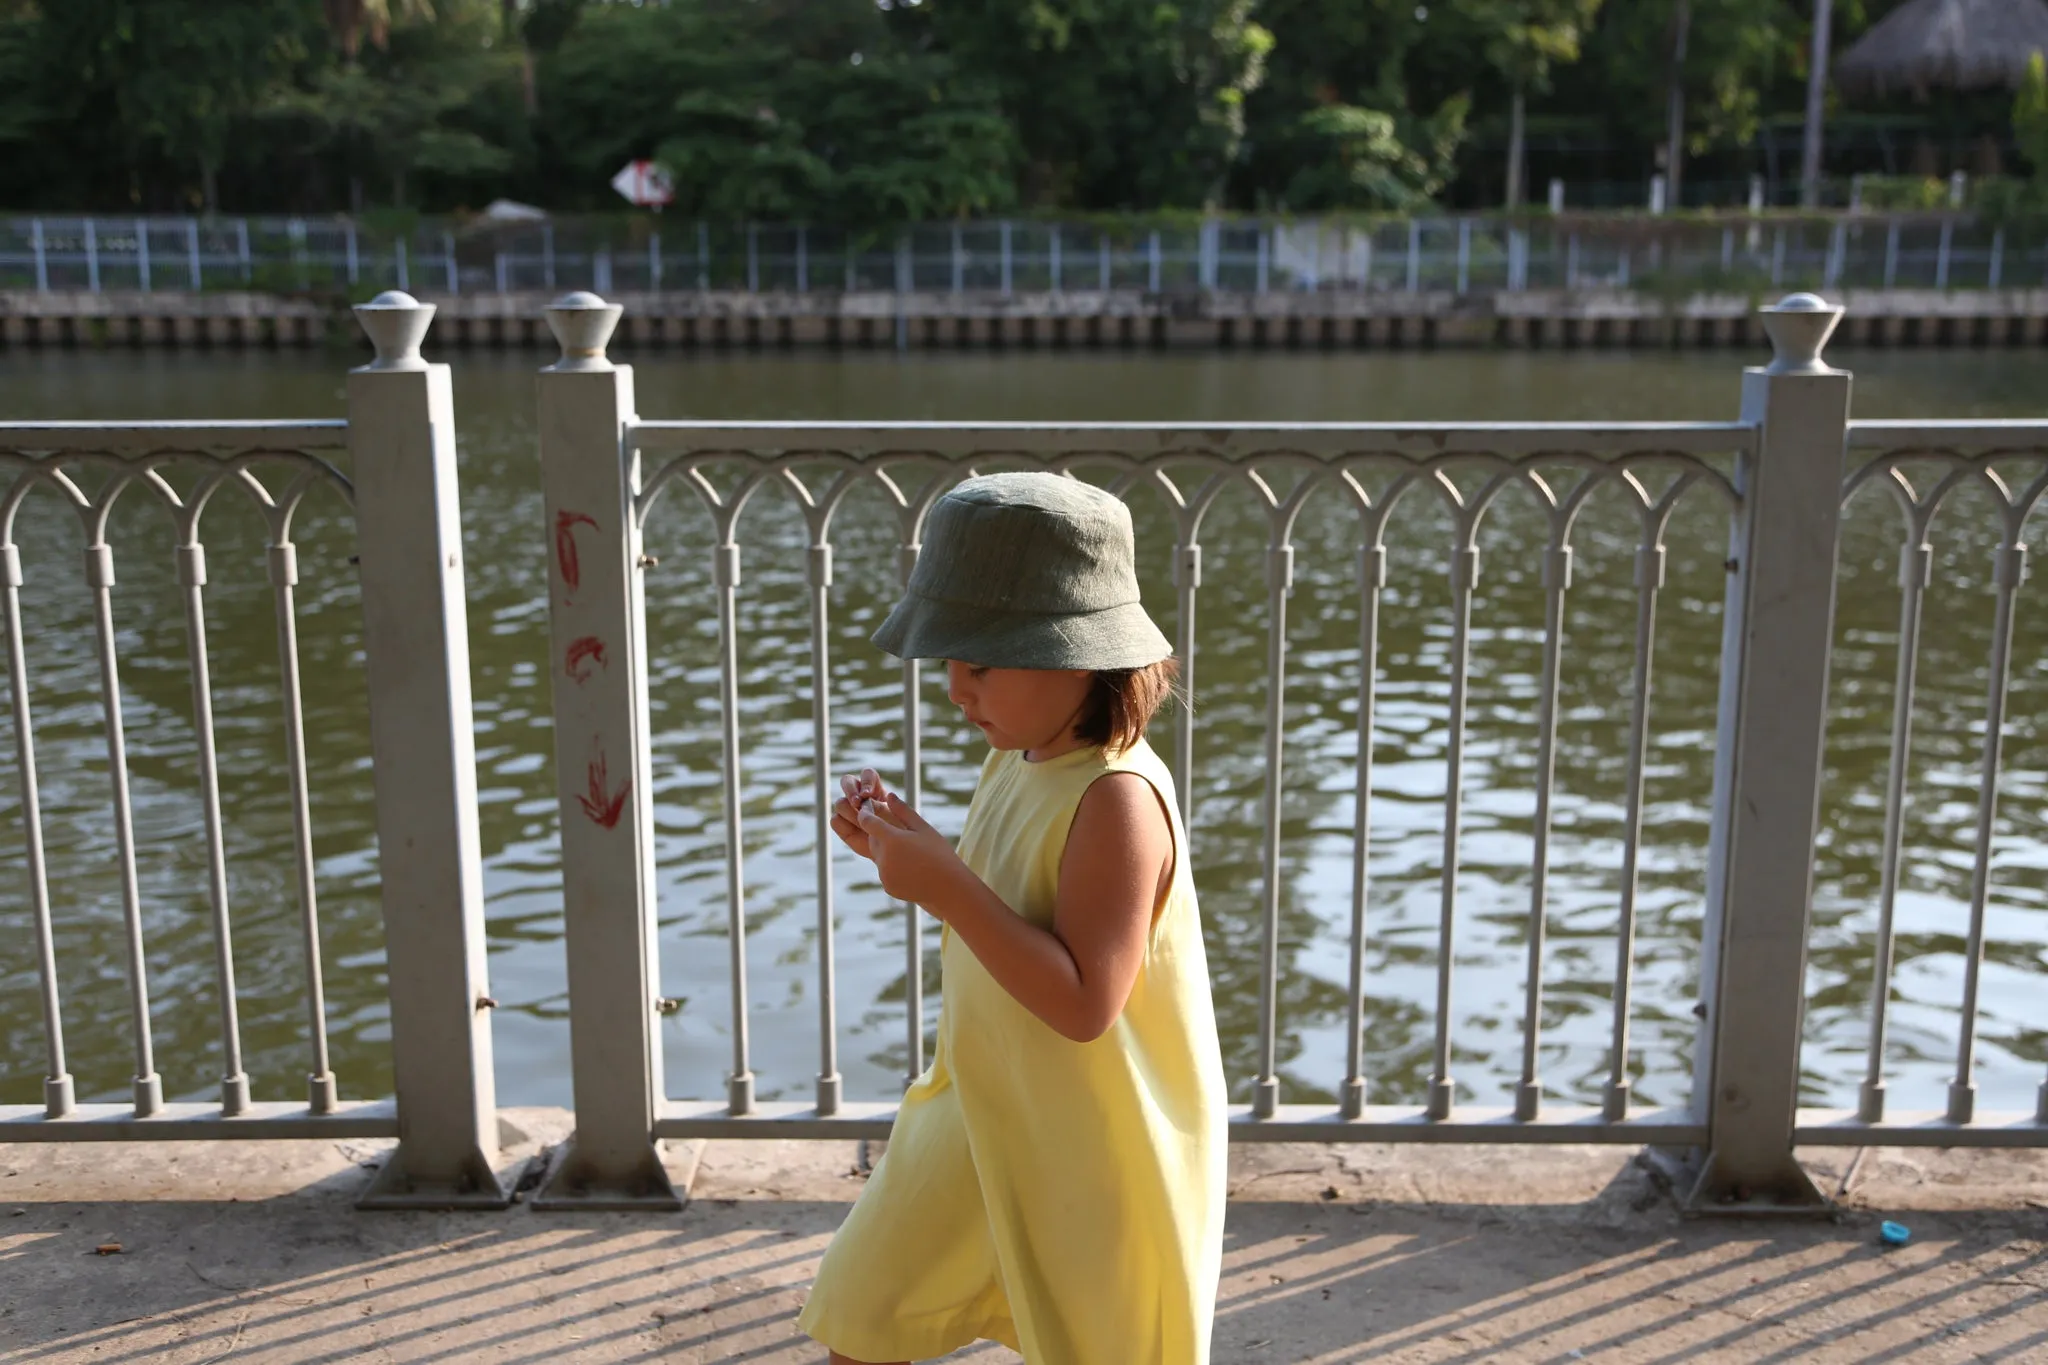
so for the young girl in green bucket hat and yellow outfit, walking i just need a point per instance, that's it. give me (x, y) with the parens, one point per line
(1056, 1178)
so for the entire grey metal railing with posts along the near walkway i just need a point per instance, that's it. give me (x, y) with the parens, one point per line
(1783, 472)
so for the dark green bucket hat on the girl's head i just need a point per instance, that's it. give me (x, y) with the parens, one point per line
(1027, 572)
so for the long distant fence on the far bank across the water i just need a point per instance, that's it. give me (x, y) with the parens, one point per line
(1426, 255)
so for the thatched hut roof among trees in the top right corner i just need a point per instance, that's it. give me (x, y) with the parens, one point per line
(1947, 46)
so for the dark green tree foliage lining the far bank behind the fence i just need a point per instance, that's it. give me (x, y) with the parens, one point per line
(871, 112)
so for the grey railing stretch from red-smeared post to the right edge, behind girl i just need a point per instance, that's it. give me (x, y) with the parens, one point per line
(1781, 472)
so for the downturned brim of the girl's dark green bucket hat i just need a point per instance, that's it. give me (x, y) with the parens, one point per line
(1119, 637)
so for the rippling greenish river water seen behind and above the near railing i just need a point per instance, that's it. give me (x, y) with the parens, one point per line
(519, 820)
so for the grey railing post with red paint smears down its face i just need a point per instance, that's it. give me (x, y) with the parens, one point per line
(603, 770)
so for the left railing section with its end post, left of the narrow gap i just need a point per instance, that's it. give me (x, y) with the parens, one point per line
(402, 500)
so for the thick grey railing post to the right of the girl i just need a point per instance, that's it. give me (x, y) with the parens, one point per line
(1775, 654)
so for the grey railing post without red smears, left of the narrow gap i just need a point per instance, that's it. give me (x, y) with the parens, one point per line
(425, 768)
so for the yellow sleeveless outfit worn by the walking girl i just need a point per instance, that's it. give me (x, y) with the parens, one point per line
(1060, 1198)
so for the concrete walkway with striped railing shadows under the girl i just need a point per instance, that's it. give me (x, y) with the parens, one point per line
(1459, 1256)
